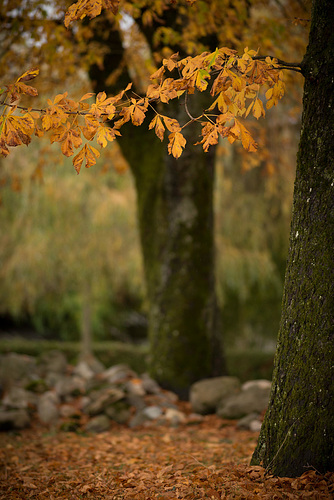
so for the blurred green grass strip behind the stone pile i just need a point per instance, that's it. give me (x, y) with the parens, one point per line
(246, 365)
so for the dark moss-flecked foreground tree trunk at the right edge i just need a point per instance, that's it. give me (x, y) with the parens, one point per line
(298, 430)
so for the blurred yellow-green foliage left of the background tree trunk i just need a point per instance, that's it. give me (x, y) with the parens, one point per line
(59, 236)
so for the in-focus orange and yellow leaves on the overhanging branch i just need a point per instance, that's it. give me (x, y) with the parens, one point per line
(236, 84)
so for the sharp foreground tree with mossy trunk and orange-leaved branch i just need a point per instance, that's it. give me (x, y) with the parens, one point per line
(298, 429)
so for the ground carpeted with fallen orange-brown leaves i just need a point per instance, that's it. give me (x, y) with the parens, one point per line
(207, 460)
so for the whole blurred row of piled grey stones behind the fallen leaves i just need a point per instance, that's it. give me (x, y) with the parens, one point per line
(88, 397)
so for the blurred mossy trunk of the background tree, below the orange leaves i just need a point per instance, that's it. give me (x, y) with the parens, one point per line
(175, 211)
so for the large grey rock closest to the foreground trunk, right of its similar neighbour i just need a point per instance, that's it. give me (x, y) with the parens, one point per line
(253, 398)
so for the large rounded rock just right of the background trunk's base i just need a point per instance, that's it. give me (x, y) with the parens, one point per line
(206, 394)
